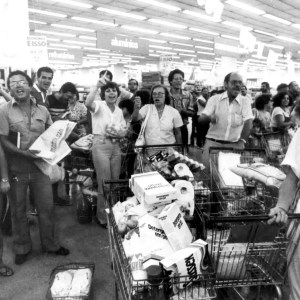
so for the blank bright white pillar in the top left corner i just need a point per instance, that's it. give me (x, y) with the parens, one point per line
(14, 29)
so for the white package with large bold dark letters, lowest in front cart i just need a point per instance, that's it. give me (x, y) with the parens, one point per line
(187, 262)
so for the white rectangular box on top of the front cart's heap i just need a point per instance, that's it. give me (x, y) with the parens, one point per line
(151, 188)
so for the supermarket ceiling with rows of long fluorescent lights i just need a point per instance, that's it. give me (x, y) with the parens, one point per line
(182, 28)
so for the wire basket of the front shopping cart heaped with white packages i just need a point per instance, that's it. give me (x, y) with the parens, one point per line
(128, 288)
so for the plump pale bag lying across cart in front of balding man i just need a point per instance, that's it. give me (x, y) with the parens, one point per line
(266, 174)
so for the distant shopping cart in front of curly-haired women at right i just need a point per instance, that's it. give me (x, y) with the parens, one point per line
(276, 144)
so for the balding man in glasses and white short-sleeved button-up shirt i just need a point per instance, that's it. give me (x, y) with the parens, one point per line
(230, 117)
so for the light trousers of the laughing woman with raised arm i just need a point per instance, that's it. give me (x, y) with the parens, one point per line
(107, 163)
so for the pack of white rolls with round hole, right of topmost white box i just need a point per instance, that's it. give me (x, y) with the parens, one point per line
(185, 196)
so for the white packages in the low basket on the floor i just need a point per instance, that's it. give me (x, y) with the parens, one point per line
(72, 284)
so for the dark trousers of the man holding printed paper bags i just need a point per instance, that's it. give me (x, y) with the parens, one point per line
(41, 188)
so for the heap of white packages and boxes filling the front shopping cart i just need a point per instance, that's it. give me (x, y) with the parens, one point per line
(154, 228)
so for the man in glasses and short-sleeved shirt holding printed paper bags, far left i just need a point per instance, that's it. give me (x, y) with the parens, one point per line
(22, 121)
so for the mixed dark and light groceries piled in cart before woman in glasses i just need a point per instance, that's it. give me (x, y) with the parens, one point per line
(171, 164)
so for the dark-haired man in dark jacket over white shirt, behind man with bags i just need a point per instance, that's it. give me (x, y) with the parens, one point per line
(40, 88)
